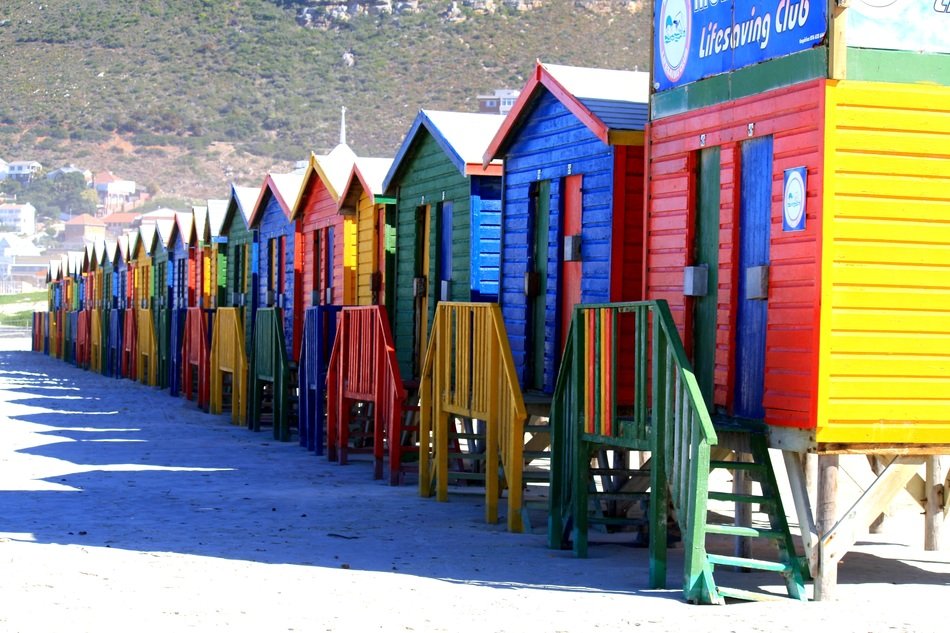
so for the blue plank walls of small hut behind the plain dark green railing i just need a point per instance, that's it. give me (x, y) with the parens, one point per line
(273, 223)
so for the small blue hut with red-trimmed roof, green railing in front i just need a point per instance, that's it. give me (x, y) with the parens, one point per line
(276, 333)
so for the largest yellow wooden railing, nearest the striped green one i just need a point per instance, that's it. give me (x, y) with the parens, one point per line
(469, 372)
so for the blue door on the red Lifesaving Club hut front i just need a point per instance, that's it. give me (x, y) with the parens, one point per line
(755, 208)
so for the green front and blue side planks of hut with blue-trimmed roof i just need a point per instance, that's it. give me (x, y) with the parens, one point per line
(428, 177)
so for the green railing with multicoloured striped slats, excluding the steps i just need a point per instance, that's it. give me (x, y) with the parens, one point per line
(625, 382)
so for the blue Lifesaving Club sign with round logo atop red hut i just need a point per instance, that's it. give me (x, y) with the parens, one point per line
(700, 38)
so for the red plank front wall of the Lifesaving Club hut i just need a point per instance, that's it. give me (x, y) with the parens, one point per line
(794, 117)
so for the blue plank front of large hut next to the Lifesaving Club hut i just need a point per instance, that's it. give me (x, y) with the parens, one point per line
(549, 145)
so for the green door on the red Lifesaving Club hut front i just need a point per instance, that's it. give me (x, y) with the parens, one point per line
(706, 255)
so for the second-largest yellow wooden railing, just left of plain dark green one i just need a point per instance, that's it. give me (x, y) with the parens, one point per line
(228, 357)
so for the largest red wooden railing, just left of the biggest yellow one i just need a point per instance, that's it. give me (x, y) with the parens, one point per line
(363, 368)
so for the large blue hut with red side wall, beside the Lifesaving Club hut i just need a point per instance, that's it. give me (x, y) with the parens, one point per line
(573, 150)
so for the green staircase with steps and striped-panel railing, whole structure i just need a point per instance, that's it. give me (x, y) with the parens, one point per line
(626, 387)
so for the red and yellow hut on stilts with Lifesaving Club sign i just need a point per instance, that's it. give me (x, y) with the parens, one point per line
(796, 227)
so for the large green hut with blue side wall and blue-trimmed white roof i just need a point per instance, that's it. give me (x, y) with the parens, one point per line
(447, 222)
